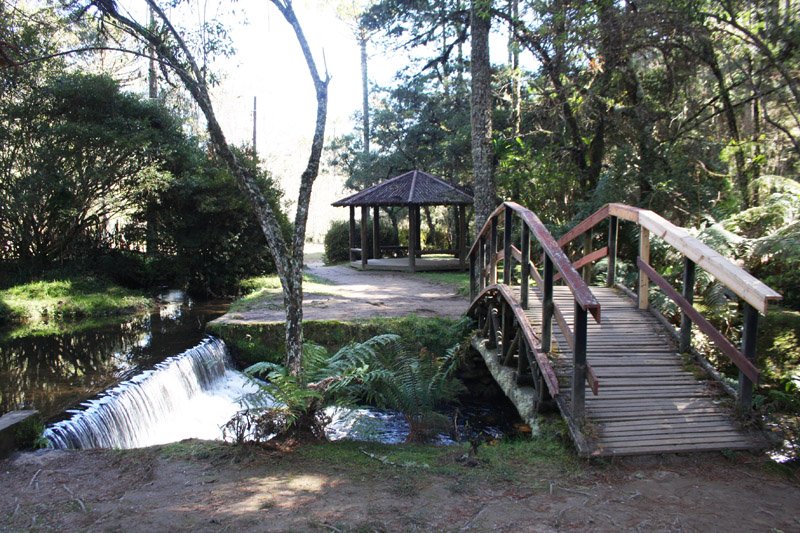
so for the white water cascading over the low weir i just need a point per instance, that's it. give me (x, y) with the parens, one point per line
(188, 395)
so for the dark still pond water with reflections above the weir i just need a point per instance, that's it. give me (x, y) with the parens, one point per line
(51, 372)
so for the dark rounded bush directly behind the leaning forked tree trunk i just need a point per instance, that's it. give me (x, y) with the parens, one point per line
(200, 227)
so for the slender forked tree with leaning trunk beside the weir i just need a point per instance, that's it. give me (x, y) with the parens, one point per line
(173, 51)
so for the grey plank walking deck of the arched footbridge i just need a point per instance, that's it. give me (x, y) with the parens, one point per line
(648, 401)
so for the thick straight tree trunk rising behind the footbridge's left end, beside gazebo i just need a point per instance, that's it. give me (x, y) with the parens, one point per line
(481, 113)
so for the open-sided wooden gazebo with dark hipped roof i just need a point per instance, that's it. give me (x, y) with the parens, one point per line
(414, 189)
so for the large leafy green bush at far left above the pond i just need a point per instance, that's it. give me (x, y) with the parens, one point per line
(74, 148)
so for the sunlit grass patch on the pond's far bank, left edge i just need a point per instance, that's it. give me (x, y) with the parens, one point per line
(67, 299)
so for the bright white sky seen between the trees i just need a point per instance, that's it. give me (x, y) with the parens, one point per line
(270, 66)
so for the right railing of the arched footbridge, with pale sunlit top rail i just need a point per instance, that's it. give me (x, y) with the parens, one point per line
(754, 294)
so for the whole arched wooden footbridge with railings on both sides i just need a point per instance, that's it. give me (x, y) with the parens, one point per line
(618, 371)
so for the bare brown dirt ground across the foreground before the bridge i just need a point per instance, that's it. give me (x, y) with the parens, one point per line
(227, 489)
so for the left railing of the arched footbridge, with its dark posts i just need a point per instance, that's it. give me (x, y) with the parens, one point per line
(486, 254)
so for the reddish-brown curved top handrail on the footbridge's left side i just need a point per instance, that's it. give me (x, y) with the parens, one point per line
(580, 290)
